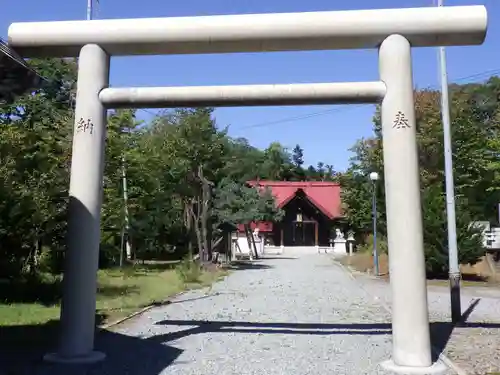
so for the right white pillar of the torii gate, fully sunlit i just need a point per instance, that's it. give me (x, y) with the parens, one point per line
(410, 321)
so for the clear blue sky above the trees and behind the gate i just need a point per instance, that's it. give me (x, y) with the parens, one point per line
(325, 132)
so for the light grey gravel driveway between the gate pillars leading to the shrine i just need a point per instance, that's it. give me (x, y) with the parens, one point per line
(280, 316)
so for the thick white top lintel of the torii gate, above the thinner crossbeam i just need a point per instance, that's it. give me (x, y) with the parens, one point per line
(331, 30)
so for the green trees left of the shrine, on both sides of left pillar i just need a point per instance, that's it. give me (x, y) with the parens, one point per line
(179, 169)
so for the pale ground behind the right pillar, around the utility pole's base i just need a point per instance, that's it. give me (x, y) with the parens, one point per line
(474, 347)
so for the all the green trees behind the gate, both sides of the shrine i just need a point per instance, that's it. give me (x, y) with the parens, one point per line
(186, 176)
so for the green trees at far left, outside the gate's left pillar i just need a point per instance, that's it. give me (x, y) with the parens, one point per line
(35, 133)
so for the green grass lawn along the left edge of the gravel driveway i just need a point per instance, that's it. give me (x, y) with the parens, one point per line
(120, 292)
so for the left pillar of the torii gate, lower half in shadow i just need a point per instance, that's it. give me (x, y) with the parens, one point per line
(82, 255)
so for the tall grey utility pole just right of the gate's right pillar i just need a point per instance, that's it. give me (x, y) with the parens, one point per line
(454, 267)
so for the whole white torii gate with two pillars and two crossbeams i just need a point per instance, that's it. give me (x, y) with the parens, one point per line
(392, 31)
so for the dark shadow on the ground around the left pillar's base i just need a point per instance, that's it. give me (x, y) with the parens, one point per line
(23, 347)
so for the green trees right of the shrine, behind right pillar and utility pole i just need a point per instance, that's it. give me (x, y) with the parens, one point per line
(475, 114)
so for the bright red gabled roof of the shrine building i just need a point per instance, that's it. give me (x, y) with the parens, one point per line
(324, 195)
